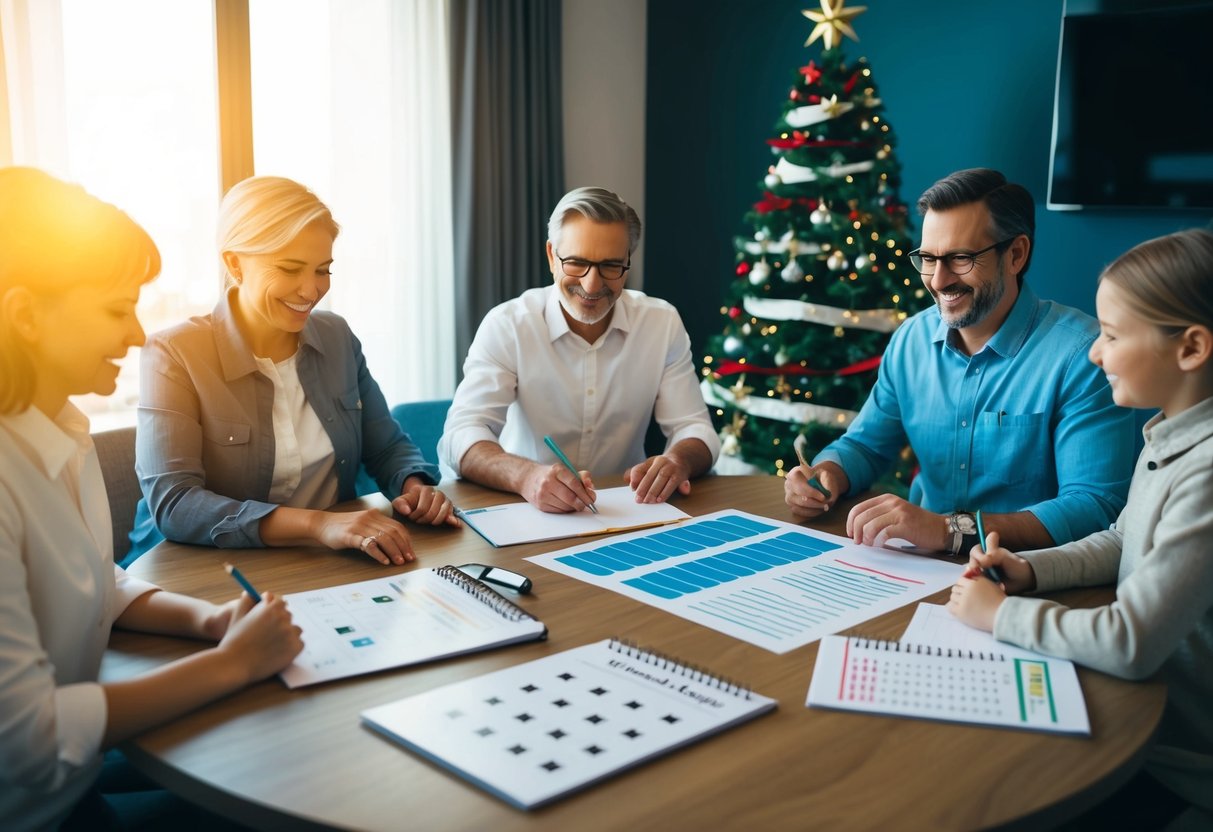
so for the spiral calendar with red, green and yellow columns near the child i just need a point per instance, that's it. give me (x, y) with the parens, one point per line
(949, 685)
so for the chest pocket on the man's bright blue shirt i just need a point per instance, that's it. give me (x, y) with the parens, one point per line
(1013, 448)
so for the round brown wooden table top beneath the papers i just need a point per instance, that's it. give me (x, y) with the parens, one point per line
(276, 759)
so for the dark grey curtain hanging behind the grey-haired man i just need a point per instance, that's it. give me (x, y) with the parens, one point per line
(509, 151)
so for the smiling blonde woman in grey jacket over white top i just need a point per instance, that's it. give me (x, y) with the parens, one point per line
(254, 420)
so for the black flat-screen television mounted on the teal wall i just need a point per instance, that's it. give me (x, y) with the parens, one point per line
(1134, 112)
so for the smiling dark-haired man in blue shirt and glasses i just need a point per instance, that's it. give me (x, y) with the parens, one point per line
(992, 389)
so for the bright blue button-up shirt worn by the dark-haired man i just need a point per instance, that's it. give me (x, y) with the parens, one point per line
(1028, 424)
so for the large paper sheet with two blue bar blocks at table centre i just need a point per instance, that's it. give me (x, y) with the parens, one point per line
(776, 585)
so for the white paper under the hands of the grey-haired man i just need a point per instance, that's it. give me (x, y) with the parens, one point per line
(522, 523)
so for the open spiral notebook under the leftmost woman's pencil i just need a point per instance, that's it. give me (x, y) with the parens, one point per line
(407, 619)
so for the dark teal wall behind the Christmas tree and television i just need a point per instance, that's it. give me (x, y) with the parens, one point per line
(966, 84)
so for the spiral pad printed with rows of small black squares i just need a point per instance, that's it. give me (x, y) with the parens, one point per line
(537, 732)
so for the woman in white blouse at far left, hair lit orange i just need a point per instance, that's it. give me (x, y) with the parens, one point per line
(71, 273)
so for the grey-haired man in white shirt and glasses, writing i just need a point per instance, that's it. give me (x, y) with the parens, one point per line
(585, 362)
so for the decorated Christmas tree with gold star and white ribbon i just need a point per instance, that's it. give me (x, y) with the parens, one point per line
(823, 278)
